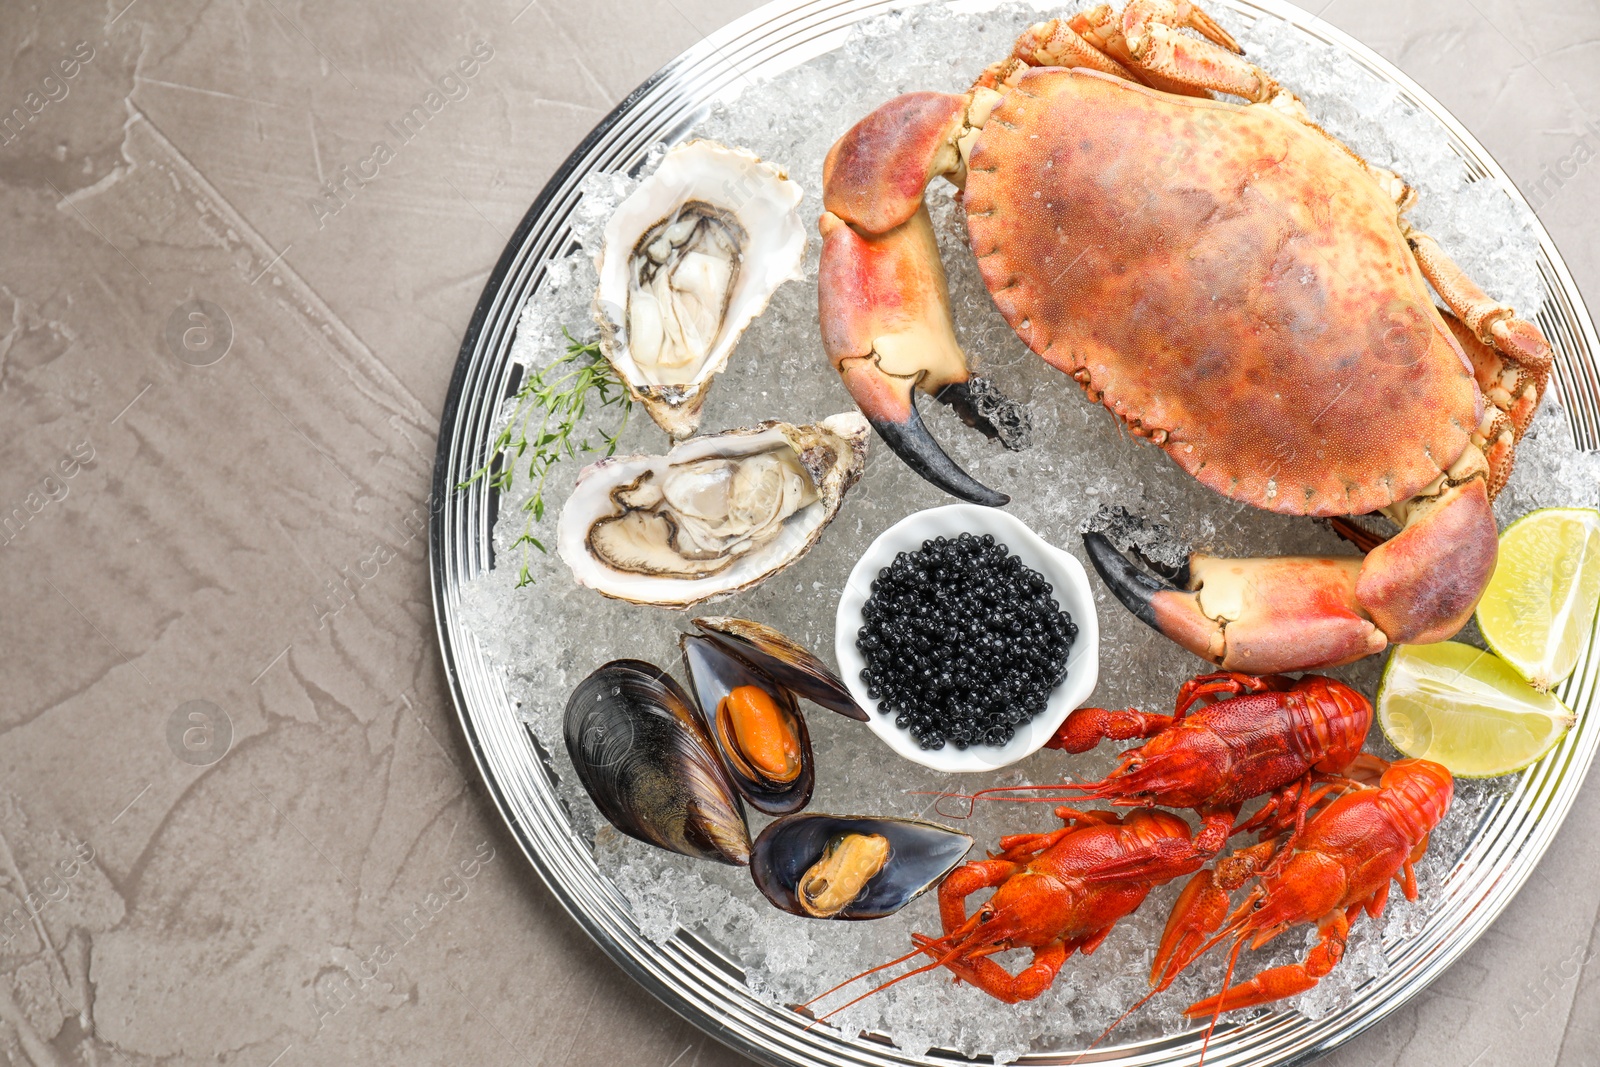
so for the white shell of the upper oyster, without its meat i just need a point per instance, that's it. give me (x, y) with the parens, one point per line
(764, 202)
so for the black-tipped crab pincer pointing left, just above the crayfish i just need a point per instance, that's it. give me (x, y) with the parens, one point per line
(1258, 617)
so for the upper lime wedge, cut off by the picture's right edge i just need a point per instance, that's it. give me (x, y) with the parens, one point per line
(1540, 609)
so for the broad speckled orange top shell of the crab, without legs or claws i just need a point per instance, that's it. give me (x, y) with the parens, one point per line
(1228, 282)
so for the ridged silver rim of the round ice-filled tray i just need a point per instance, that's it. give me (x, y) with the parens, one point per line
(742, 1025)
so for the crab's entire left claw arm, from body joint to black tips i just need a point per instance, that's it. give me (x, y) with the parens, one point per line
(882, 297)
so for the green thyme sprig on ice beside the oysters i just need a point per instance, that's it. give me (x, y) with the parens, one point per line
(545, 428)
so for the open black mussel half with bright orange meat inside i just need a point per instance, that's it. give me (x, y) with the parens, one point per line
(756, 724)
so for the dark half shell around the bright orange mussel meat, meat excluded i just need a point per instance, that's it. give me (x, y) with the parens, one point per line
(714, 673)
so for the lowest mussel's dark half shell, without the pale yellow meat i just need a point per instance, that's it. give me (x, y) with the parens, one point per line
(921, 855)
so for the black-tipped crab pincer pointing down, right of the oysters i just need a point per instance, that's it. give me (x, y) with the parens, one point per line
(887, 330)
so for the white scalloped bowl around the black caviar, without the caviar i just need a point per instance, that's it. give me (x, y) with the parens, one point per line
(1070, 585)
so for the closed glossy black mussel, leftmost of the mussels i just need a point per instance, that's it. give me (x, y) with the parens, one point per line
(649, 765)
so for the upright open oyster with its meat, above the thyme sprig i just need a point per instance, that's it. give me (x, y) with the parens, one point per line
(686, 265)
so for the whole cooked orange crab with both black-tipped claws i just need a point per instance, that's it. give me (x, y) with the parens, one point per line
(1234, 284)
